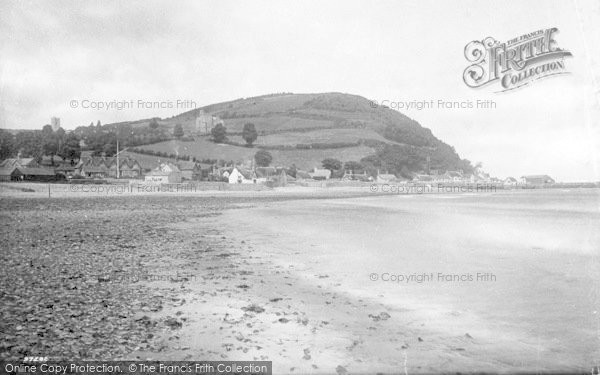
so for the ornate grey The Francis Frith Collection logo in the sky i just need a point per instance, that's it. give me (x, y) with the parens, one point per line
(515, 63)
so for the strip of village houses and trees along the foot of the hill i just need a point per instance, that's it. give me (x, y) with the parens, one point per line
(100, 169)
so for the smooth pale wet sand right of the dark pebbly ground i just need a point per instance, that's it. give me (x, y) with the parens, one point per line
(533, 308)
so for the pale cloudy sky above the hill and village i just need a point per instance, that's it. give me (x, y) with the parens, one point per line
(57, 57)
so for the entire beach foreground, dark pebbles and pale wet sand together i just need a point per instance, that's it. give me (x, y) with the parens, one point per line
(495, 282)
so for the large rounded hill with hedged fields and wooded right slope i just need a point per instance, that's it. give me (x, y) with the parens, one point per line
(304, 129)
